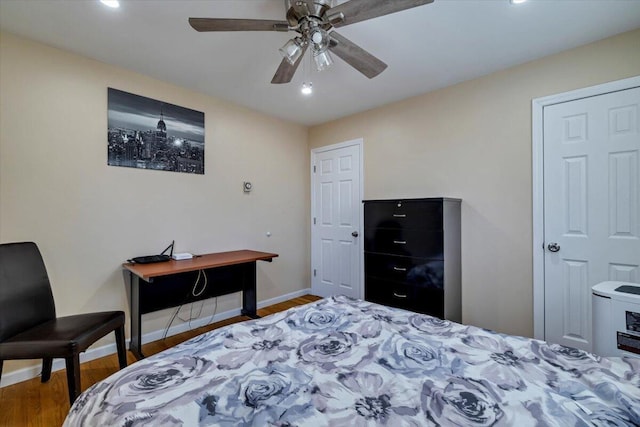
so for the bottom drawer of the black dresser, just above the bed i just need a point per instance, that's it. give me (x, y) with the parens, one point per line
(420, 300)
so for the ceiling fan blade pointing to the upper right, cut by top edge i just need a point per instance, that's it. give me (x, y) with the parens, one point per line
(360, 10)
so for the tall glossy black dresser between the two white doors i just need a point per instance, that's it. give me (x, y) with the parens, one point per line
(412, 255)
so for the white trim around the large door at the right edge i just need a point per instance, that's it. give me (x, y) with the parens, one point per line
(538, 106)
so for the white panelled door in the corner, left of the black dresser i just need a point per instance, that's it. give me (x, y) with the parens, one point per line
(336, 249)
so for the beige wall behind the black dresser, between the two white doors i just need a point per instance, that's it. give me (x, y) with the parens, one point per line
(473, 141)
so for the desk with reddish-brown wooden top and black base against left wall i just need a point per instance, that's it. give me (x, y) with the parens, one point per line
(173, 283)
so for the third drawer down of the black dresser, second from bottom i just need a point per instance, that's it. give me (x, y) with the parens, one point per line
(420, 272)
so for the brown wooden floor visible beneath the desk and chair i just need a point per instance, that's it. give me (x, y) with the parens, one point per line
(31, 403)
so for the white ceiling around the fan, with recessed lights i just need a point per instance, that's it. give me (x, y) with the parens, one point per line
(426, 48)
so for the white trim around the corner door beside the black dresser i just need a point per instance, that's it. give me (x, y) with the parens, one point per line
(358, 144)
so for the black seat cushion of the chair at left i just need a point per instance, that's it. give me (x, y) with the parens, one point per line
(62, 337)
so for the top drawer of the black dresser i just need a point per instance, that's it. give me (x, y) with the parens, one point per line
(403, 214)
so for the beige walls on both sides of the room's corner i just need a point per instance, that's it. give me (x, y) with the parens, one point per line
(472, 141)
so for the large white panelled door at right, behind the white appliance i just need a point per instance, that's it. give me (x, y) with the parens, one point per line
(591, 207)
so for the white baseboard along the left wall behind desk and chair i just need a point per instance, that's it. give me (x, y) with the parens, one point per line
(30, 372)
